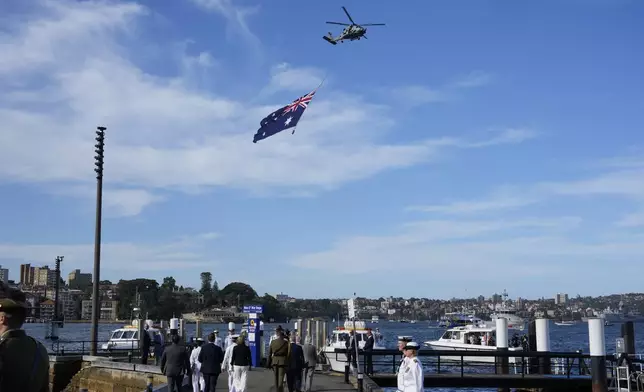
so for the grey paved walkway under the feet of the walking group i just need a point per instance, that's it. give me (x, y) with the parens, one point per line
(262, 380)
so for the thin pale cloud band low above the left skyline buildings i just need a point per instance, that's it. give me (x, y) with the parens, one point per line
(126, 259)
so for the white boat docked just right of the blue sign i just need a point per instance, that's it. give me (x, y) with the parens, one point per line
(339, 338)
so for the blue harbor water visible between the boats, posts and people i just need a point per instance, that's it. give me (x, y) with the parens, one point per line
(563, 338)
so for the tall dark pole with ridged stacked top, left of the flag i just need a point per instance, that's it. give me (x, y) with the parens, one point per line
(96, 301)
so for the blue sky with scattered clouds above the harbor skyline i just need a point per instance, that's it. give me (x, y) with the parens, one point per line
(464, 148)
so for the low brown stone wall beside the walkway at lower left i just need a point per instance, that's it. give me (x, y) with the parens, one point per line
(96, 374)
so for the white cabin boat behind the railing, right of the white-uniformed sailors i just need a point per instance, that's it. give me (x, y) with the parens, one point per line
(458, 339)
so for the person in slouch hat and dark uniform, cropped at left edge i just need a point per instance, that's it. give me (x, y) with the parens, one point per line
(24, 362)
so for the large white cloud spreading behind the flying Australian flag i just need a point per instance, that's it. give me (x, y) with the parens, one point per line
(161, 133)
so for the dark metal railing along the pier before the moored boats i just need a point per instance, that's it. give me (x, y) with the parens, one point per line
(567, 364)
